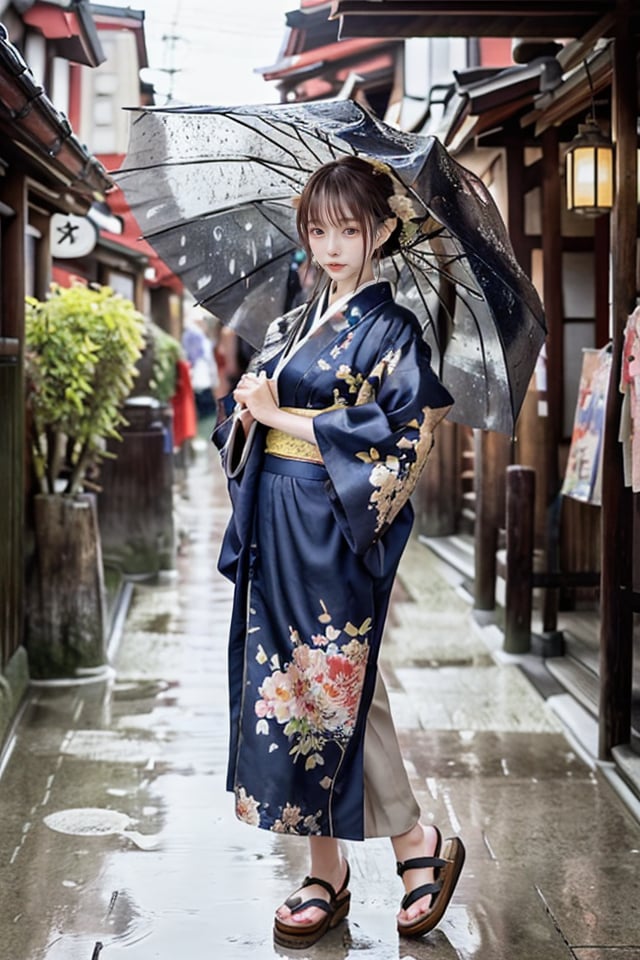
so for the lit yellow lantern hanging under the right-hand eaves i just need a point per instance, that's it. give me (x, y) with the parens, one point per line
(589, 171)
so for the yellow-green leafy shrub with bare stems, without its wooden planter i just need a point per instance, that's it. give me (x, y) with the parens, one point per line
(82, 344)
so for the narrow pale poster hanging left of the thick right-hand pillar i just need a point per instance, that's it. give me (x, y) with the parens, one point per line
(582, 479)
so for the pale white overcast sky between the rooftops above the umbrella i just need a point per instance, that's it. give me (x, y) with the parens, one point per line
(213, 46)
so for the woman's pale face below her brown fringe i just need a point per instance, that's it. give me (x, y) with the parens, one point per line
(339, 249)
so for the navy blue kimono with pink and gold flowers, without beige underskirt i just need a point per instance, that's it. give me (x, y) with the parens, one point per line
(313, 546)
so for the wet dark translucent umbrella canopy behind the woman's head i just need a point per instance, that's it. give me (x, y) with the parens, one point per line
(211, 188)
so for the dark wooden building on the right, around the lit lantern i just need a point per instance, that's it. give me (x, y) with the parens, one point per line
(515, 129)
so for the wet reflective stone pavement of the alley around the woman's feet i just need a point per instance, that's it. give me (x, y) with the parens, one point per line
(118, 839)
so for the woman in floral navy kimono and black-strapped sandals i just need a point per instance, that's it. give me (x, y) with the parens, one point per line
(332, 428)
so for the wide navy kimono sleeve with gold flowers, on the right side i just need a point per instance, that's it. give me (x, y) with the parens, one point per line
(375, 450)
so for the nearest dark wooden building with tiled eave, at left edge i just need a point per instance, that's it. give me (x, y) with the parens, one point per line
(44, 170)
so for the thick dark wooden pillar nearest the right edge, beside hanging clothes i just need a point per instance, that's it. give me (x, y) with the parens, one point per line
(616, 618)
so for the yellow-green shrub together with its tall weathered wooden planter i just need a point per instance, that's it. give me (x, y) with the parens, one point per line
(81, 346)
